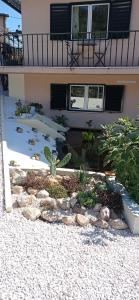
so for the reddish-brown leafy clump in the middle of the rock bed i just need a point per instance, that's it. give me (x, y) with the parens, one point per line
(71, 184)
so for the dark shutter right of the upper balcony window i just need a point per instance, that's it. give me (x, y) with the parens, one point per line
(120, 14)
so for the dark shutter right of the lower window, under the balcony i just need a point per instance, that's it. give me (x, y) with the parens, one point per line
(113, 98)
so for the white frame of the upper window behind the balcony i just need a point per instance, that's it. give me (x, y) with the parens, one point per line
(89, 21)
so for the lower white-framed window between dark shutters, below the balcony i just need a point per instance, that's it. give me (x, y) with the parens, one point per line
(87, 97)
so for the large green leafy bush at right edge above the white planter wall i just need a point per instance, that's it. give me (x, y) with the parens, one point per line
(120, 144)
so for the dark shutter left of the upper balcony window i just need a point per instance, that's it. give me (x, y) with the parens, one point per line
(60, 21)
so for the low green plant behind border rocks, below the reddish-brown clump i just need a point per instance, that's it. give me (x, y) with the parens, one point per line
(87, 199)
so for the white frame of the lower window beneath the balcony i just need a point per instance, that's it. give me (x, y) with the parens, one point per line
(86, 98)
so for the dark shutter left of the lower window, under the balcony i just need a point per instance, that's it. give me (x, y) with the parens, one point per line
(59, 96)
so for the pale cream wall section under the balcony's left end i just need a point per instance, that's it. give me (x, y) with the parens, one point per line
(16, 86)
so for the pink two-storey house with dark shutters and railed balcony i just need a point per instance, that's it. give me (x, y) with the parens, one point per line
(80, 59)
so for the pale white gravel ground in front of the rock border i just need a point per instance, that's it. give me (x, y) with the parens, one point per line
(50, 261)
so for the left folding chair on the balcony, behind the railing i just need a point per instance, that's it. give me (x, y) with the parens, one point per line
(73, 55)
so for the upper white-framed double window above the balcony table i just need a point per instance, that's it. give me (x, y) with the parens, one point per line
(88, 20)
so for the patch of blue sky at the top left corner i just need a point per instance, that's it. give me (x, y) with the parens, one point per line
(14, 18)
